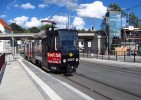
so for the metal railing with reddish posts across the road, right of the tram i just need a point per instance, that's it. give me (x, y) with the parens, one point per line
(122, 56)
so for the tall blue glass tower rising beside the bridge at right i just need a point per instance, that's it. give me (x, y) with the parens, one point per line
(114, 29)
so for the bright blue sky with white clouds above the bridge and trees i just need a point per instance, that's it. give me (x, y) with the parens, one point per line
(83, 13)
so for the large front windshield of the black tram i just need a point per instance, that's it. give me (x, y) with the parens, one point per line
(69, 40)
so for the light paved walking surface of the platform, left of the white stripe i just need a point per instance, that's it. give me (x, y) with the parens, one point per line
(16, 85)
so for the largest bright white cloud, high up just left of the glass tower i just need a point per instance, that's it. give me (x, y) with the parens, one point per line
(93, 10)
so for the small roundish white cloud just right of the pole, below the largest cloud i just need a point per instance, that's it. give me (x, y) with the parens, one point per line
(78, 23)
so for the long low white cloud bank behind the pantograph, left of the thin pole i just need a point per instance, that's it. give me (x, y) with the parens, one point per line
(25, 22)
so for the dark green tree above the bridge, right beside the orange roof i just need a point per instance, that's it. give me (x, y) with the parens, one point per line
(17, 28)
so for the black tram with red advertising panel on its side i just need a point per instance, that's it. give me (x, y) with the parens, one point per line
(55, 50)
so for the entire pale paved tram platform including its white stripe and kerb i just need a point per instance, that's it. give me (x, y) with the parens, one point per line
(19, 82)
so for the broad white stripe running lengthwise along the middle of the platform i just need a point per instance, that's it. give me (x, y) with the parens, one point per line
(52, 95)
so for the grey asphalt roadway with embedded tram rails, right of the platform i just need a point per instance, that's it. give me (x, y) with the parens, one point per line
(106, 82)
